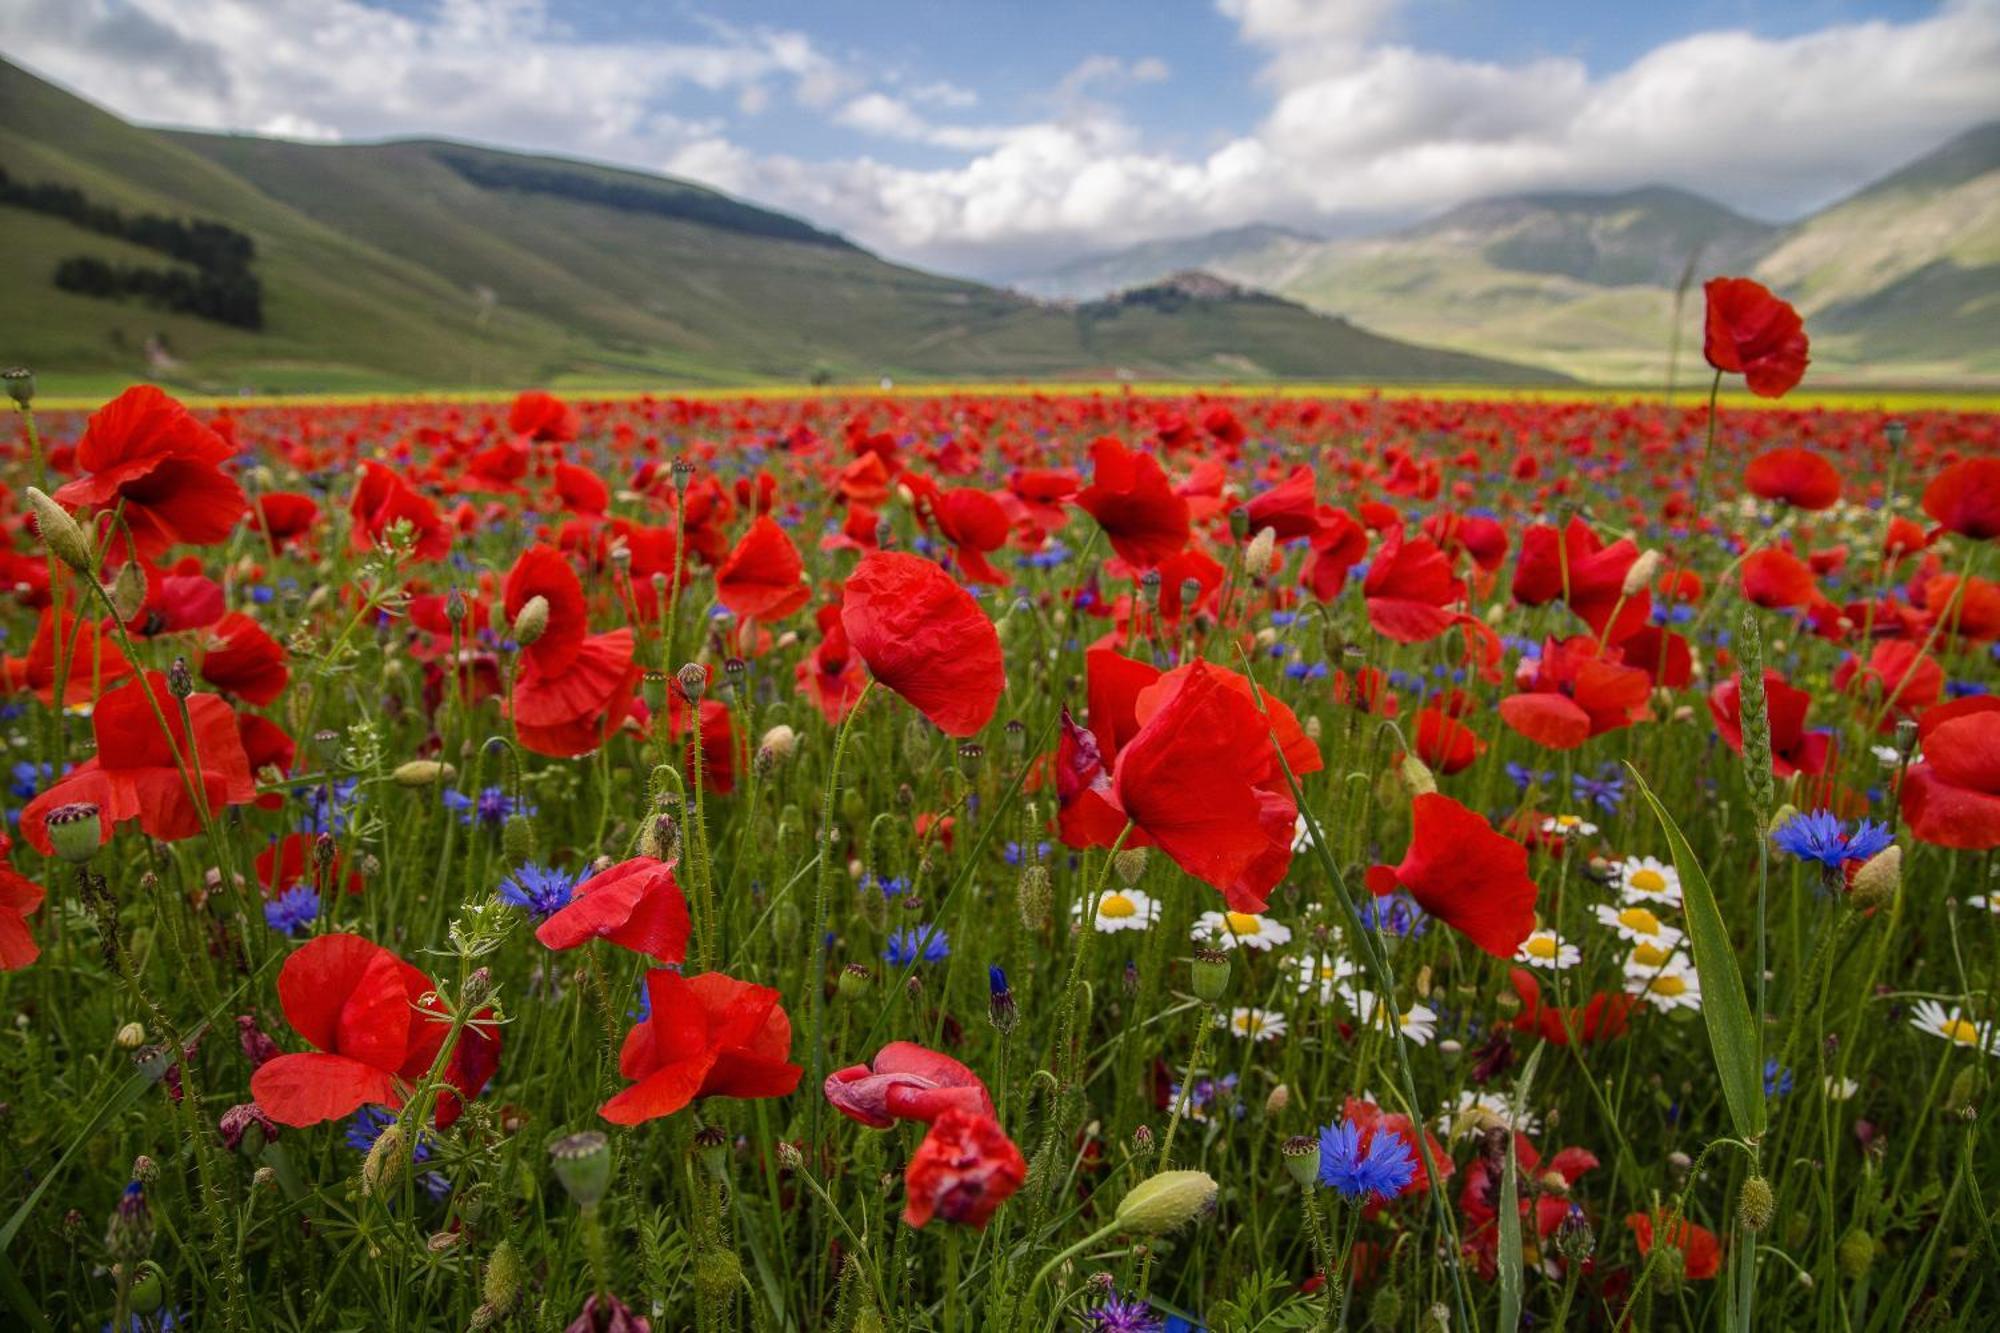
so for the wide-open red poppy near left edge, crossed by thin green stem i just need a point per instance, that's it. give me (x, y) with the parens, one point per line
(135, 774)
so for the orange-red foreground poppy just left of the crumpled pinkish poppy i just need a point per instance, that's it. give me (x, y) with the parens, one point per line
(707, 1036)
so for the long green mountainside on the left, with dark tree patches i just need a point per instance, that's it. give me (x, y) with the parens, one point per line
(217, 261)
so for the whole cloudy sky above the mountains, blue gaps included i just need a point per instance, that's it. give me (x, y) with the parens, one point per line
(1001, 137)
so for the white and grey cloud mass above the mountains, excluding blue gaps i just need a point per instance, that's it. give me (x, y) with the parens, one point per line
(1359, 121)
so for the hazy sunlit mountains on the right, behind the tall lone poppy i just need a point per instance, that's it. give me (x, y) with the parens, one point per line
(1899, 283)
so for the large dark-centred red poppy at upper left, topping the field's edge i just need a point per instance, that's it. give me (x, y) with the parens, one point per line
(149, 455)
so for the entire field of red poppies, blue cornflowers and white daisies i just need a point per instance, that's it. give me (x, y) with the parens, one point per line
(1003, 862)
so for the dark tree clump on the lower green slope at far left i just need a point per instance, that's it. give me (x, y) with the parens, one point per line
(215, 287)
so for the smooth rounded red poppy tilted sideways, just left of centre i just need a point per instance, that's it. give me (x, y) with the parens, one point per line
(925, 637)
